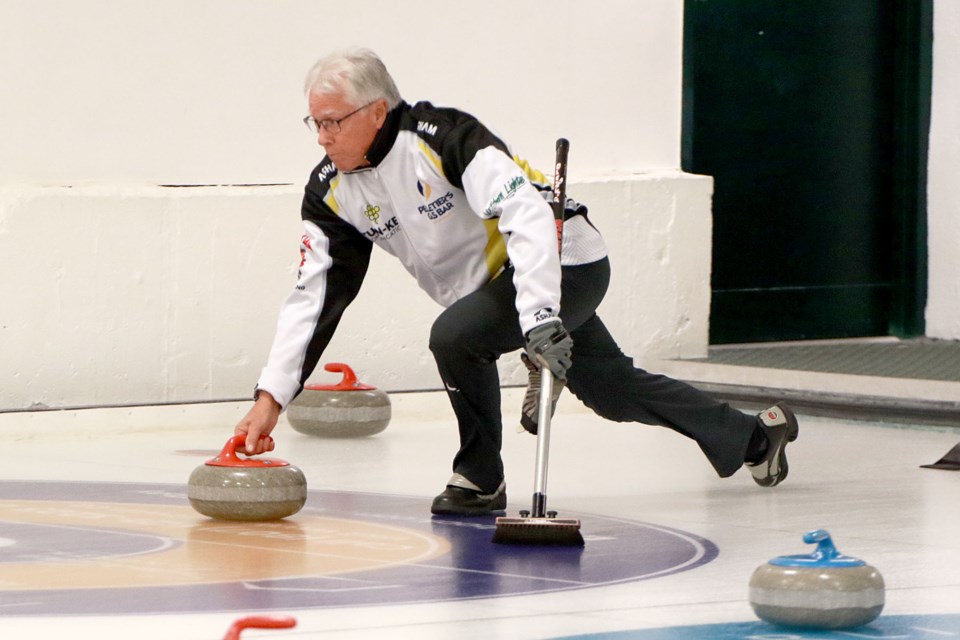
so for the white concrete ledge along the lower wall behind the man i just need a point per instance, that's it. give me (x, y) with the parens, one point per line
(143, 295)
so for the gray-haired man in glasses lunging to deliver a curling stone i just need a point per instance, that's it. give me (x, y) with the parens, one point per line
(437, 190)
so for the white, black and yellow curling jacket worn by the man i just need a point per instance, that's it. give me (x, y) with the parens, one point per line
(444, 196)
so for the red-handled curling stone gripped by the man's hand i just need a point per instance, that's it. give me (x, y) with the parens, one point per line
(228, 487)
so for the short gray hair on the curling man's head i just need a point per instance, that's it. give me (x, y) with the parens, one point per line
(358, 73)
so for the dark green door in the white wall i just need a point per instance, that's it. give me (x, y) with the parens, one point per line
(811, 115)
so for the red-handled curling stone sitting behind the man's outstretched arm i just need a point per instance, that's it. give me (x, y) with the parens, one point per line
(348, 409)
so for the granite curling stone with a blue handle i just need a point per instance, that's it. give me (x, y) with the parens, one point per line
(822, 590)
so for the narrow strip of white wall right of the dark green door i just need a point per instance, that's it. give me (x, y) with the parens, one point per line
(943, 187)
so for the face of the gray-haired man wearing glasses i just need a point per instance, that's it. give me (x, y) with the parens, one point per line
(347, 147)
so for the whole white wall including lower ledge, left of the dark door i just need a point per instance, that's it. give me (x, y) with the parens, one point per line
(120, 291)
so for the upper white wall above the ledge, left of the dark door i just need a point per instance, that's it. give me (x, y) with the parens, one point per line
(210, 92)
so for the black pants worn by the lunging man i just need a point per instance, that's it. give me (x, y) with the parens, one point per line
(470, 335)
